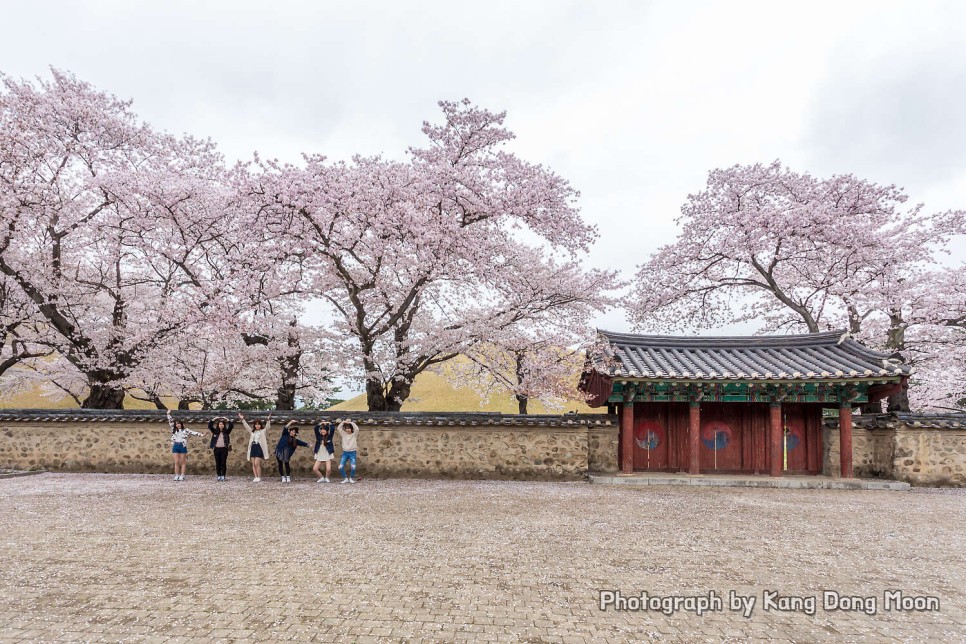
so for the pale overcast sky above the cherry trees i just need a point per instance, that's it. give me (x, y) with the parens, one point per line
(633, 102)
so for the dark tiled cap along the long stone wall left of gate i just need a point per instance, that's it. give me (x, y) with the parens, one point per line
(307, 418)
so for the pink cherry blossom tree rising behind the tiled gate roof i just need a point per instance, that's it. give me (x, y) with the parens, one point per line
(764, 243)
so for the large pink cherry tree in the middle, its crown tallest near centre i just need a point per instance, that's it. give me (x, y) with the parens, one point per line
(420, 259)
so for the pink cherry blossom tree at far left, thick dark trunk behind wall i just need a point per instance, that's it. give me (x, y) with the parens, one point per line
(88, 193)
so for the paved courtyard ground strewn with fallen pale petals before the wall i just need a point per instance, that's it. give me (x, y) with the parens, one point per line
(122, 557)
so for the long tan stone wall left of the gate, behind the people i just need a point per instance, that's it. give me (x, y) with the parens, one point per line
(476, 446)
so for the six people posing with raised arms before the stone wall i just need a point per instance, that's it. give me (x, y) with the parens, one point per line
(221, 427)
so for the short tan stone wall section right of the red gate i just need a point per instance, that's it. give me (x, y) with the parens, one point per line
(921, 449)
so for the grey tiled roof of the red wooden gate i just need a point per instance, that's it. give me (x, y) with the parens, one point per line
(833, 355)
